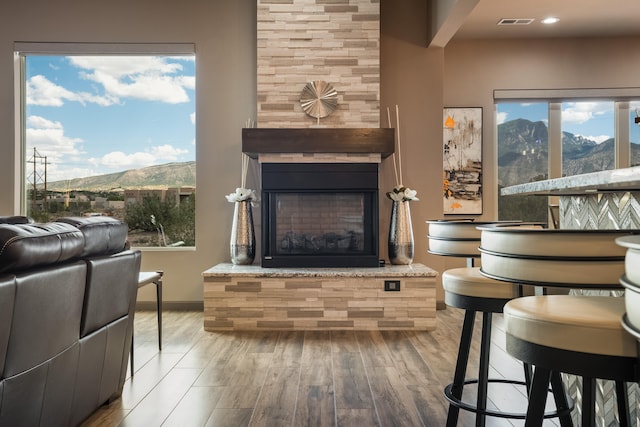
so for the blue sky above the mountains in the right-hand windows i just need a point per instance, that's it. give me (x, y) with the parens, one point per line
(593, 120)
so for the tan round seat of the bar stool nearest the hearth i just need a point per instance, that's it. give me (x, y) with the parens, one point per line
(468, 281)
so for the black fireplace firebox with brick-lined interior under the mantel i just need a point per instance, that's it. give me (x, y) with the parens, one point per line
(320, 215)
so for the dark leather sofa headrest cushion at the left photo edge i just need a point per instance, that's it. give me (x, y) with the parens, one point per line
(30, 245)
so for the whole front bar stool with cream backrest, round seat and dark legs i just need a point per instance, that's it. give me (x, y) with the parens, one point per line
(579, 335)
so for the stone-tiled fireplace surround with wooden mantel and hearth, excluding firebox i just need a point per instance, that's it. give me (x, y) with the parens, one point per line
(337, 41)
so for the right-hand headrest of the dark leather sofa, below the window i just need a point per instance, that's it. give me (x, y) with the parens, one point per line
(103, 235)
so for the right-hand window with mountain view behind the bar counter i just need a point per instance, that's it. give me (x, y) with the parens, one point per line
(551, 139)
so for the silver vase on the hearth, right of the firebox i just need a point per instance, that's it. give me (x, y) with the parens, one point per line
(400, 234)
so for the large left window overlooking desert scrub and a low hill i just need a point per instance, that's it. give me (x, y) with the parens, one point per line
(111, 134)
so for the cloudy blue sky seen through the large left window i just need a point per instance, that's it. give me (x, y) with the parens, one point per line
(91, 115)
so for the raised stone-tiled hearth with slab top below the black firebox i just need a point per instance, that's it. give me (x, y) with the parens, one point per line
(241, 297)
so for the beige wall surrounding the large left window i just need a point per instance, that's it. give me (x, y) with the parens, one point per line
(224, 35)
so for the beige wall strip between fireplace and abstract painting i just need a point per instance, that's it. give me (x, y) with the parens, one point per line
(411, 78)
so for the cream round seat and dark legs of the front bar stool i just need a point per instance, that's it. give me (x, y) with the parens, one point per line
(579, 335)
